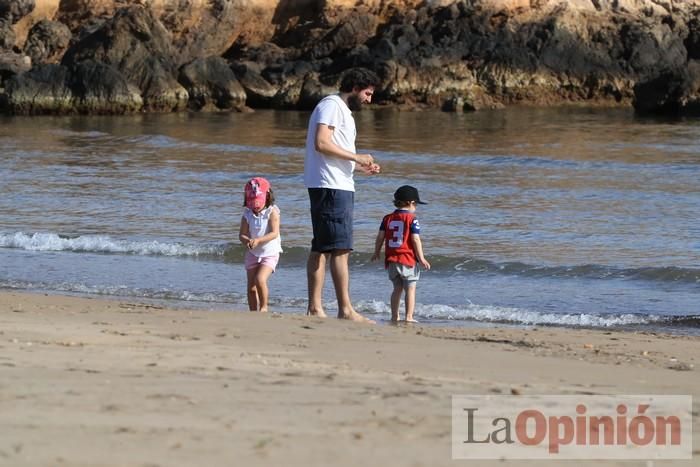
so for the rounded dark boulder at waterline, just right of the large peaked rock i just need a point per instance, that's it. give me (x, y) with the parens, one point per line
(211, 83)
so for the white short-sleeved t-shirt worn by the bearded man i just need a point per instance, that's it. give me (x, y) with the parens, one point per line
(321, 171)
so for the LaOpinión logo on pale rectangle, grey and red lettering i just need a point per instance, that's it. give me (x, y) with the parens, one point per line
(572, 427)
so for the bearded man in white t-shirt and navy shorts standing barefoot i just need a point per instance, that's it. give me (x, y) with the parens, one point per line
(328, 174)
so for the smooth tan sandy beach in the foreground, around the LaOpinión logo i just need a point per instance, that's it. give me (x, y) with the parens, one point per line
(103, 382)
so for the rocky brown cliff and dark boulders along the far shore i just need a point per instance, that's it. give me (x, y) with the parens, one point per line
(96, 56)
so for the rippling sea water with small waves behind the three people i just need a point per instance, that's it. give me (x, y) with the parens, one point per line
(573, 217)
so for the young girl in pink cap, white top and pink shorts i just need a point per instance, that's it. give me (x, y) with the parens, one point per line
(260, 233)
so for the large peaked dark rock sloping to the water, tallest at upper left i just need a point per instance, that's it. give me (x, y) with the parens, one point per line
(135, 43)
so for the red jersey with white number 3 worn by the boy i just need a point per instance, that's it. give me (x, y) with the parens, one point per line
(398, 227)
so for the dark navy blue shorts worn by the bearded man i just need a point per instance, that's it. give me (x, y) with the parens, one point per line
(331, 218)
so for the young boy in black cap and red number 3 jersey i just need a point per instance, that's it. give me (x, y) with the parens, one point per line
(400, 231)
